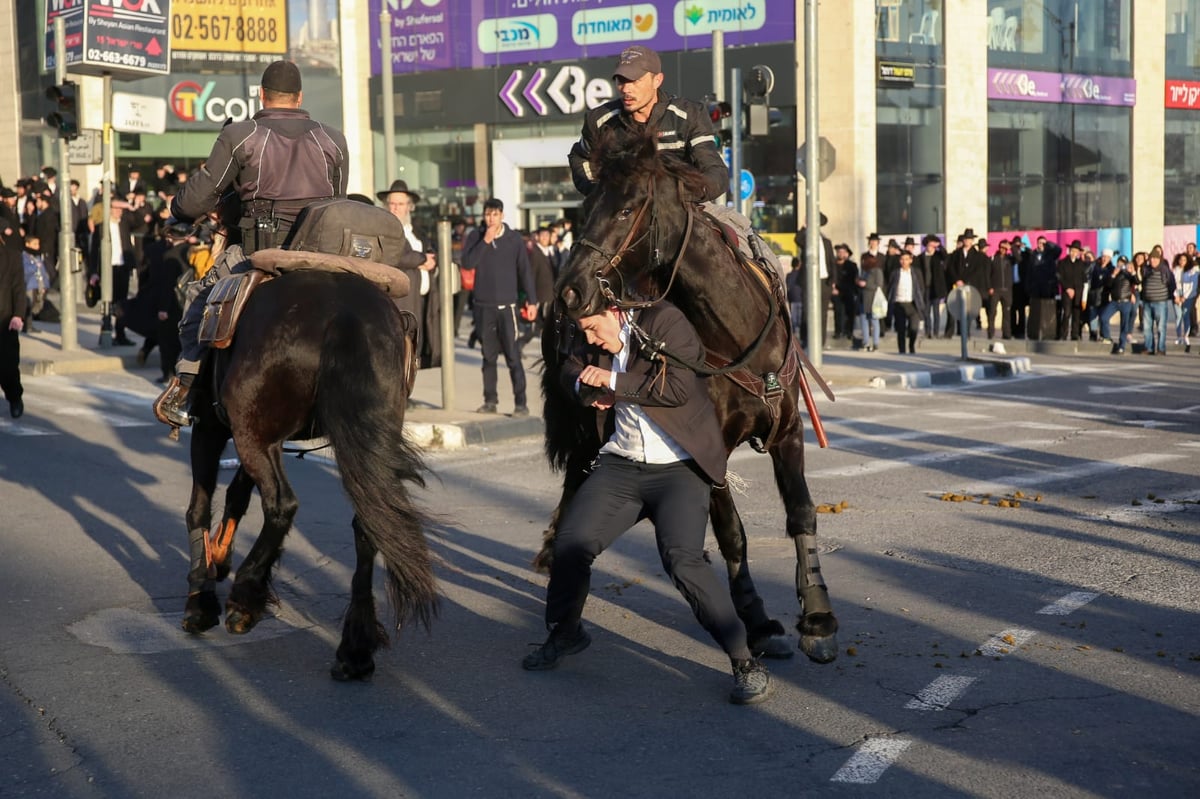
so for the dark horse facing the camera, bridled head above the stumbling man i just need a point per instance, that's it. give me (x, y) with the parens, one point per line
(644, 241)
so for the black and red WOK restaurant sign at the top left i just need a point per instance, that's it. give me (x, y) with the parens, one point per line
(123, 39)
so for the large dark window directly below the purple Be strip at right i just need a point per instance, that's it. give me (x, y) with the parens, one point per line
(1058, 167)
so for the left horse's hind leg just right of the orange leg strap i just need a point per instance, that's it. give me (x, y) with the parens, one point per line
(253, 590)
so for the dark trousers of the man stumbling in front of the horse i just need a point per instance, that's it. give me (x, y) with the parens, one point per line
(620, 492)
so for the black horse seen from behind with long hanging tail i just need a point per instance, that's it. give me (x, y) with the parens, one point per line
(315, 353)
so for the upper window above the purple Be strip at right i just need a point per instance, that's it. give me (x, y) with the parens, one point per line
(1088, 37)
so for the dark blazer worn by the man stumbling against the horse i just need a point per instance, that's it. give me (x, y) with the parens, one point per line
(677, 402)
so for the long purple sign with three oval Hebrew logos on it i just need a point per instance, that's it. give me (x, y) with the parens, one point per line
(470, 34)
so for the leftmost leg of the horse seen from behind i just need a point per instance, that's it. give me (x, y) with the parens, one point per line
(202, 611)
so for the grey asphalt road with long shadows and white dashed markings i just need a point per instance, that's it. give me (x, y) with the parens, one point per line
(1048, 650)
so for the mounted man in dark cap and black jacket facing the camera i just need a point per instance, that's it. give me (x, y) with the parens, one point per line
(683, 127)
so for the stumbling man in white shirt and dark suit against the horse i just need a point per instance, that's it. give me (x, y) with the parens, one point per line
(664, 455)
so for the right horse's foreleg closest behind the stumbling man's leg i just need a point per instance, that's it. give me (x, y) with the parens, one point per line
(764, 634)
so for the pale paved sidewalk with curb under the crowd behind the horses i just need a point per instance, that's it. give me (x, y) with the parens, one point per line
(937, 363)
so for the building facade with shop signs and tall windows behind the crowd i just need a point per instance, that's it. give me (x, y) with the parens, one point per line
(1077, 118)
